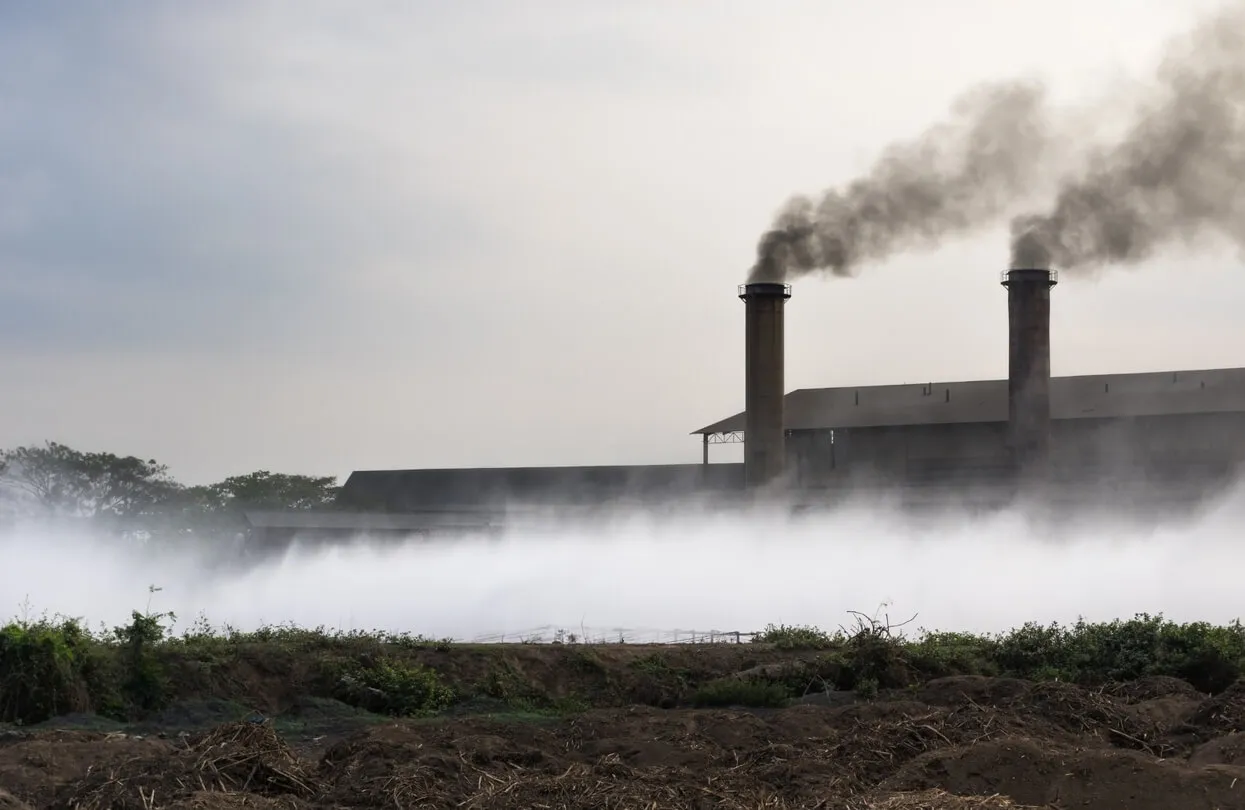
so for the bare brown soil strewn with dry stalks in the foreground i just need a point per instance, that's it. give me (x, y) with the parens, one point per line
(952, 743)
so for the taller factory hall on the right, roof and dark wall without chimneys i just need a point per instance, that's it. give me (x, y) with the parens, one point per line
(1180, 426)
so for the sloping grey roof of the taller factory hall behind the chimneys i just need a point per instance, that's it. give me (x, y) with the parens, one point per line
(1090, 396)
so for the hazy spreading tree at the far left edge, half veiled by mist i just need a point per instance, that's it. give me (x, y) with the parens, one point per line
(60, 481)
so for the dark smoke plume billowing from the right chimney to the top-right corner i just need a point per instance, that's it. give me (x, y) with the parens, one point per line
(1178, 175)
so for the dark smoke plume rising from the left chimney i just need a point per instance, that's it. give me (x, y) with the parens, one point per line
(957, 177)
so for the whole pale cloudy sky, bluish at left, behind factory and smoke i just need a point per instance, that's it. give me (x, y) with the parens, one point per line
(319, 237)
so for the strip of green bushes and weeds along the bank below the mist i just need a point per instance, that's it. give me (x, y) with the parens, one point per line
(144, 671)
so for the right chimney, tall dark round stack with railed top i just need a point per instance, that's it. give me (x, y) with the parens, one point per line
(1029, 368)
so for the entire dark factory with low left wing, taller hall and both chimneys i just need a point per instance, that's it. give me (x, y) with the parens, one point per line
(1183, 431)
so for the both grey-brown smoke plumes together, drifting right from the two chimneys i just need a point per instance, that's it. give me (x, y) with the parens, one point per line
(1178, 172)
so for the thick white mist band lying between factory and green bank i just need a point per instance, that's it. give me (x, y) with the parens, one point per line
(647, 577)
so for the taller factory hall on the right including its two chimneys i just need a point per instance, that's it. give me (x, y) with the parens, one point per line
(1175, 426)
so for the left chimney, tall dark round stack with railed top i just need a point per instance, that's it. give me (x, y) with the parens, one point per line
(765, 445)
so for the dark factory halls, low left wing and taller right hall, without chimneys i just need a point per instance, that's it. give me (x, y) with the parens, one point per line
(1176, 429)
